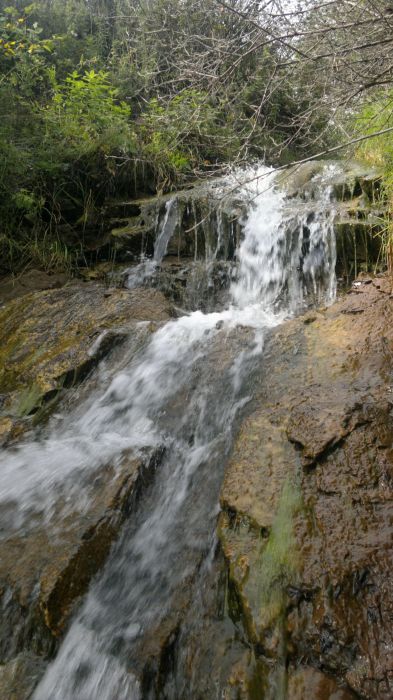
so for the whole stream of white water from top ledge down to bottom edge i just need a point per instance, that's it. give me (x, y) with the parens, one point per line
(201, 363)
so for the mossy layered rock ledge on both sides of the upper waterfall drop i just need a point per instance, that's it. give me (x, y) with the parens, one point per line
(209, 225)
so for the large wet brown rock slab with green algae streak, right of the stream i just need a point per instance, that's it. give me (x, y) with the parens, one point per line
(307, 503)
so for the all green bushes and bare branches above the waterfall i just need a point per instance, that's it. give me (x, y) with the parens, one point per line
(104, 98)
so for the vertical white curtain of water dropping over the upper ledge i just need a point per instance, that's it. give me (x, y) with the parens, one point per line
(288, 254)
